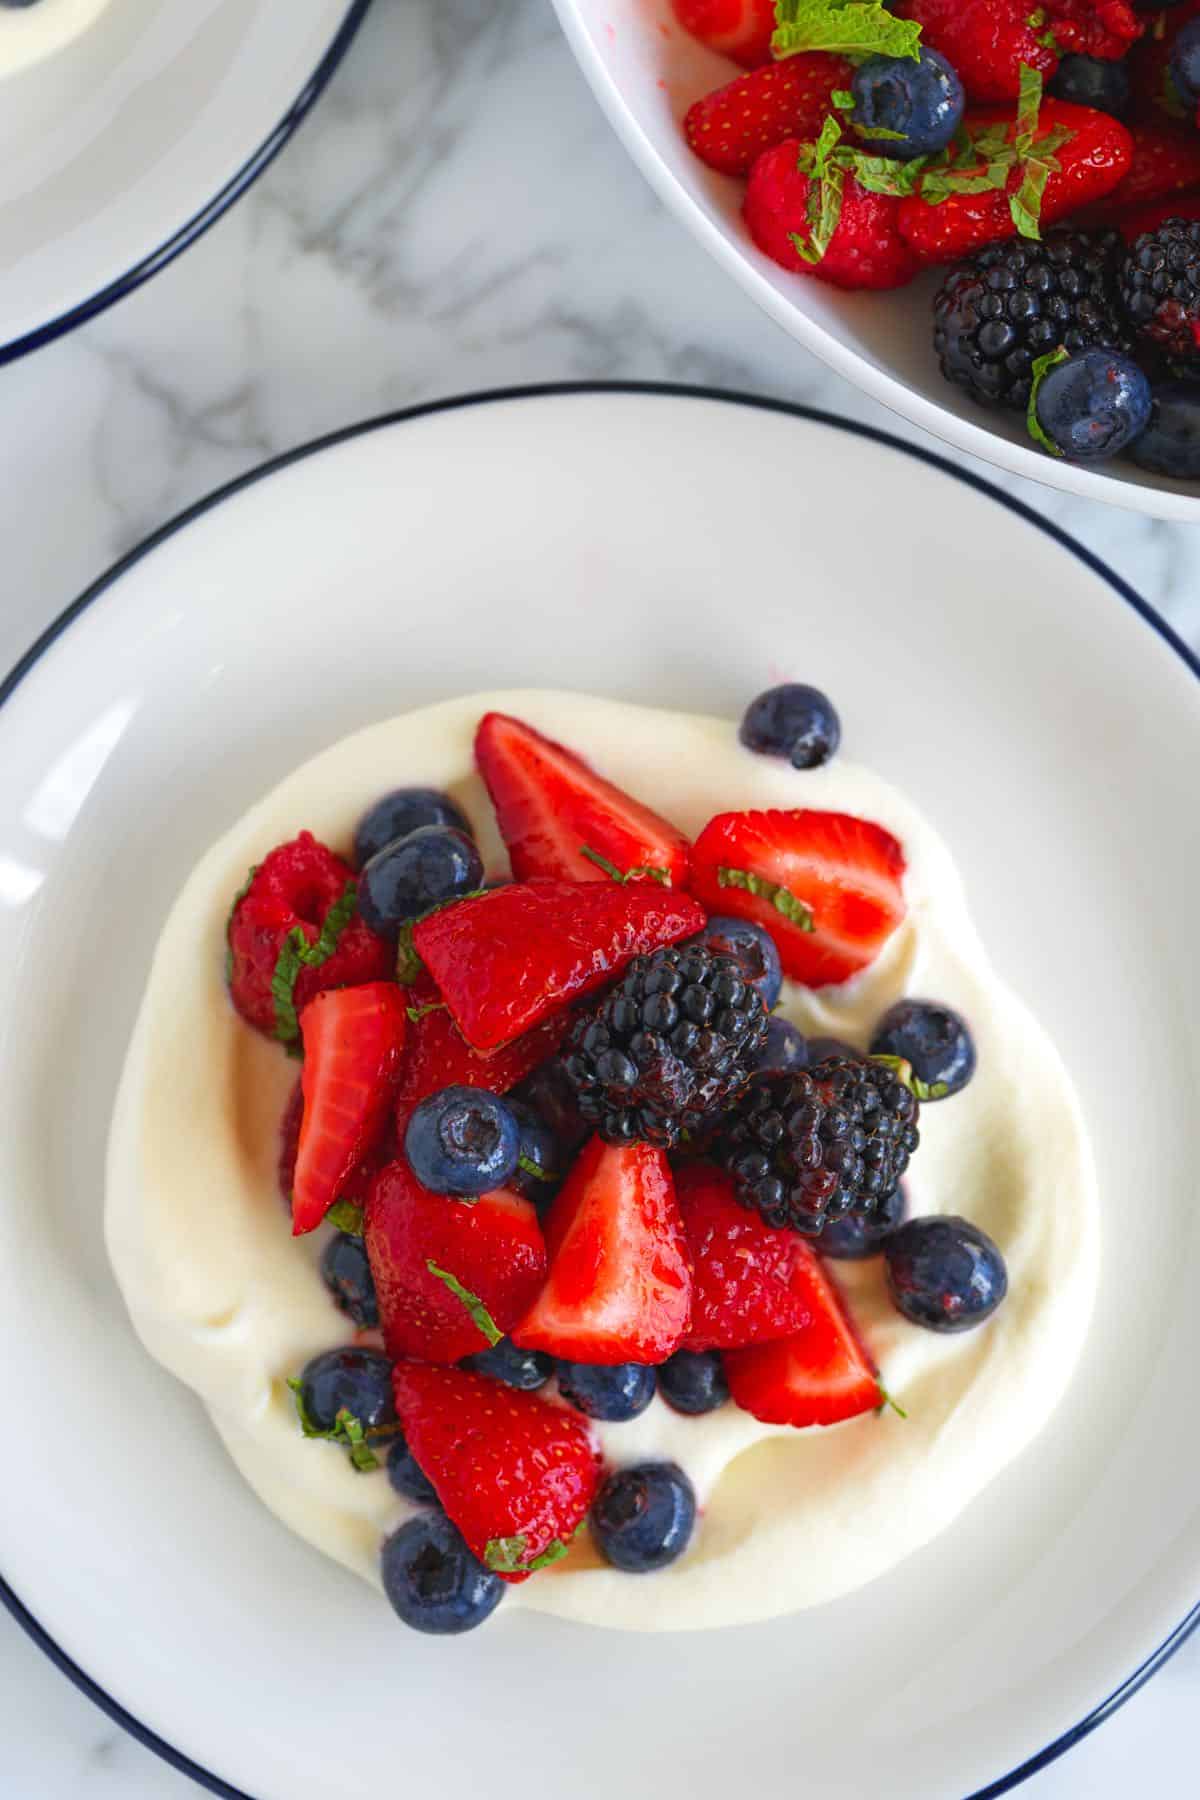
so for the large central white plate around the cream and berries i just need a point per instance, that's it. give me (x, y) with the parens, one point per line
(672, 550)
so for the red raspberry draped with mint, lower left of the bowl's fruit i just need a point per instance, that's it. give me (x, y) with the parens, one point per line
(864, 251)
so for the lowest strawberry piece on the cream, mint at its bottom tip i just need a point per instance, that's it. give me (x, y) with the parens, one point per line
(514, 1473)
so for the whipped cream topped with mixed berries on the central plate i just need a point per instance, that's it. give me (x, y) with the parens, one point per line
(584, 1160)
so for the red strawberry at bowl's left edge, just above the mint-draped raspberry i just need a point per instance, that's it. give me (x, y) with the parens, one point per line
(735, 125)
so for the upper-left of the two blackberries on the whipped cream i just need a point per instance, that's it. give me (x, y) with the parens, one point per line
(670, 1045)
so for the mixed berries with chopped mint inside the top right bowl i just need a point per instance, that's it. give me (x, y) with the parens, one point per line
(1041, 163)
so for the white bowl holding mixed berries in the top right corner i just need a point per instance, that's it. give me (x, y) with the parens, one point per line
(647, 73)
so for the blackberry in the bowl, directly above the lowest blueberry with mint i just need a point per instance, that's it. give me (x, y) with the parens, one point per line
(1019, 301)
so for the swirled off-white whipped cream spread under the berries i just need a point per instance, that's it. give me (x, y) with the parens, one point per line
(231, 1304)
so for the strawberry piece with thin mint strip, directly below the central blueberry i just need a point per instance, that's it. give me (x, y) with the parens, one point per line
(492, 1248)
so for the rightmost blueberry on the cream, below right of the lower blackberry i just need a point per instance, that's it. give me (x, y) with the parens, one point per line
(945, 1273)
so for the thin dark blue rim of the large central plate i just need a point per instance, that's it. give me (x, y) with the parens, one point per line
(10, 1599)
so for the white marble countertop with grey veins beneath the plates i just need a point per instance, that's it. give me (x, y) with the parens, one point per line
(456, 215)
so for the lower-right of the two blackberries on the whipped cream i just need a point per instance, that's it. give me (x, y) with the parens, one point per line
(812, 1147)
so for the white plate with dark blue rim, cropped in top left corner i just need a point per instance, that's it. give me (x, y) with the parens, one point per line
(125, 147)
